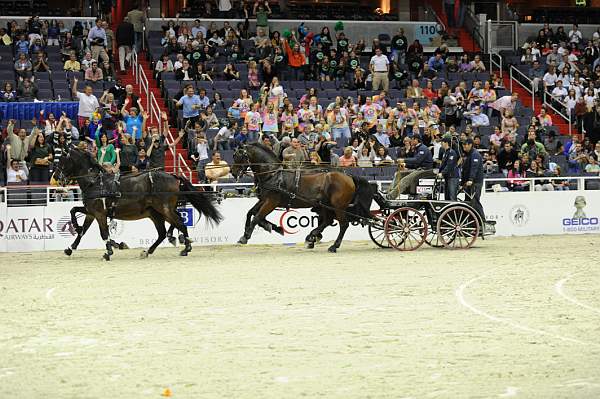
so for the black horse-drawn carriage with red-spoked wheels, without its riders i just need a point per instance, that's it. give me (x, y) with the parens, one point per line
(406, 224)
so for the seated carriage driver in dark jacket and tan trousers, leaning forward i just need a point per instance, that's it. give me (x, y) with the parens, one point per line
(421, 164)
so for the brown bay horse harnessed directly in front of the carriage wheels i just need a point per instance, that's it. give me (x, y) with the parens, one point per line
(333, 195)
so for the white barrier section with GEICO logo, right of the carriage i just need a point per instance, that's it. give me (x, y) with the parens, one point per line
(532, 213)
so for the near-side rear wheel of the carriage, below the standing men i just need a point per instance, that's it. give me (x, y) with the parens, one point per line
(458, 227)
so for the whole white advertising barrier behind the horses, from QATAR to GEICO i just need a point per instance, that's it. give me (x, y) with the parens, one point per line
(24, 229)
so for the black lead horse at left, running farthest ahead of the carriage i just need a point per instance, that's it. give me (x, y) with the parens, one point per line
(153, 194)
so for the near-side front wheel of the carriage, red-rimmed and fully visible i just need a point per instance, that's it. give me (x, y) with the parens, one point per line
(406, 229)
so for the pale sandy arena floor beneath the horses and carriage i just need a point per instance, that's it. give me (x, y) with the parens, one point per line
(516, 317)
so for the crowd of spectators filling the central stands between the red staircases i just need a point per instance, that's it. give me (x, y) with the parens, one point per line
(363, 129)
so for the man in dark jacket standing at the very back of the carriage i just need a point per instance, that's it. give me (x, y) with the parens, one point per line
(472, 176)
